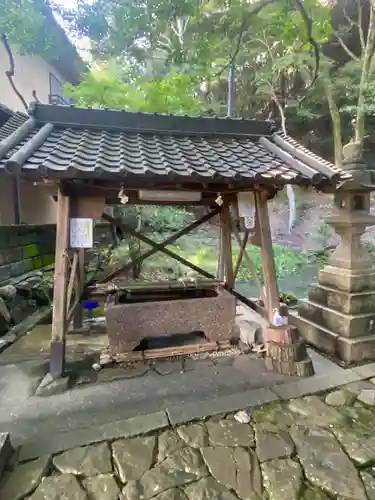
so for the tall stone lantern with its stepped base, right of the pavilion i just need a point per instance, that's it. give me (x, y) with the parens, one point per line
(339, 314)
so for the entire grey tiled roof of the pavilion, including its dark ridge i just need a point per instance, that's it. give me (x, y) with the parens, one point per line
(66, 141)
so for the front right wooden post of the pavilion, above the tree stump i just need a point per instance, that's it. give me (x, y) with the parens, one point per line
(271, 300)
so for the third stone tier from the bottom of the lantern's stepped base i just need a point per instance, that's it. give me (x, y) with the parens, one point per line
(347, 303)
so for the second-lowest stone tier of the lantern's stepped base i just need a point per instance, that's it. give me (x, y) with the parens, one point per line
(346, 325)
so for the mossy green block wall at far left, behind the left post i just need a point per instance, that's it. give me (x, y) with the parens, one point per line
(24, 249)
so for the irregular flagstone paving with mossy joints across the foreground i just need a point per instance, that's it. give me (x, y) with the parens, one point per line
(315, 447)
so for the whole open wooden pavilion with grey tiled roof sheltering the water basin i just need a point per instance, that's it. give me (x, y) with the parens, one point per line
(87, 156)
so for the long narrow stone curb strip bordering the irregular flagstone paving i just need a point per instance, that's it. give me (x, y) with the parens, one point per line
(185, 413)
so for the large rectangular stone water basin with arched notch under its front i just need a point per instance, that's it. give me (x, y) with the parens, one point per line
(147, 314)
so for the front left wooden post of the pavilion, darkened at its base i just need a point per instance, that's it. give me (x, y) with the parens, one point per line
(60, 286)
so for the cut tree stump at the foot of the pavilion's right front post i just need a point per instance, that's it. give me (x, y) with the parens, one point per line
(286, 352)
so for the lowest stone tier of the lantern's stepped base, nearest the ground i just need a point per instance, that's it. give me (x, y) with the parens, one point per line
(351, 350)
